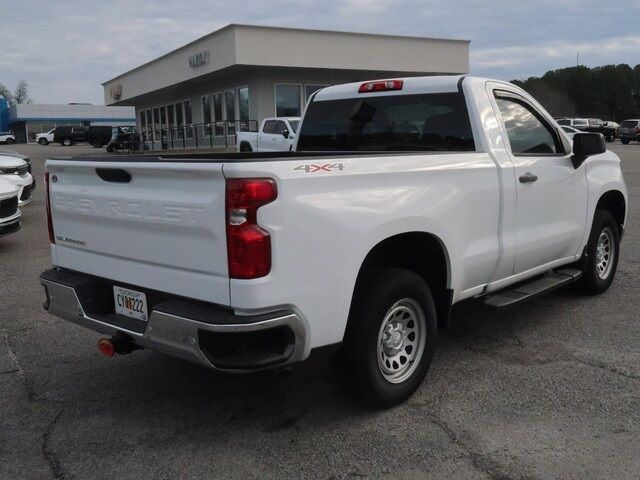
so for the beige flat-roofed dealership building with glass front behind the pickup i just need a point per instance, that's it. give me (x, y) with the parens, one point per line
(202, 93)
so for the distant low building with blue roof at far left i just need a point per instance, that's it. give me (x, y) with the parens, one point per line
(26, 120)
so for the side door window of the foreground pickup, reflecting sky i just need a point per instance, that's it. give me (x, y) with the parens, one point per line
(528, 133)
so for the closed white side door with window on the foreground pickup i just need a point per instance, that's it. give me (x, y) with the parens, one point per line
(551, 193)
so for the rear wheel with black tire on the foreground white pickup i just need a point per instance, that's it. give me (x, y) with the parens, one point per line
(377, 295)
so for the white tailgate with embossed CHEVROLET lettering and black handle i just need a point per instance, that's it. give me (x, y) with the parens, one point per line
(163, 229)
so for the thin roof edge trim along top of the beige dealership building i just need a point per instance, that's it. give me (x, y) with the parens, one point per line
(270, 27)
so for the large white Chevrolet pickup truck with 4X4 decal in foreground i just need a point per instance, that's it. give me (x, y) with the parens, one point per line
(402, 198)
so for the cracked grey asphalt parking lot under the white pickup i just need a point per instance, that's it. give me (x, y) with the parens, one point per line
(549, 389)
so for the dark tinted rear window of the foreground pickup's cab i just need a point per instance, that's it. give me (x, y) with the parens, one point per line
(427, 122)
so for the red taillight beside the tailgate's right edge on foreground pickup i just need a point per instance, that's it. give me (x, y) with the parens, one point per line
(248, 245)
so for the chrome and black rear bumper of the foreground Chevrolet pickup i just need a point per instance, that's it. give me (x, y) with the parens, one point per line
(181, 328)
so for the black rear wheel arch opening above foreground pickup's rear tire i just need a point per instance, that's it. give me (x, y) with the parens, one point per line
(422, 253)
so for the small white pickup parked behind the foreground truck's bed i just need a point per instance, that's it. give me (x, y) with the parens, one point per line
(274, 135)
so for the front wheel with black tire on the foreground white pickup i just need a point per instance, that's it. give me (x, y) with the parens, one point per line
(594, 279)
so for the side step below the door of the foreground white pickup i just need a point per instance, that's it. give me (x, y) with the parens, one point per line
(539, 285)
